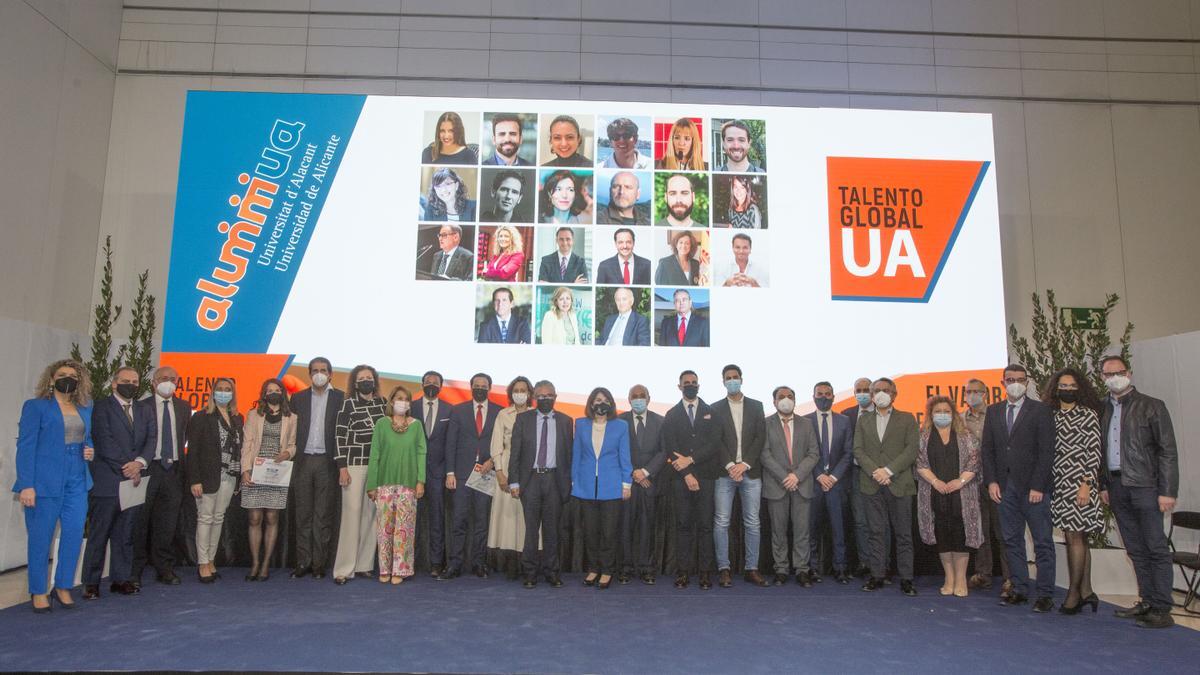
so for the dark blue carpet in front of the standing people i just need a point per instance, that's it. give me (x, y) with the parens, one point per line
(496, 626)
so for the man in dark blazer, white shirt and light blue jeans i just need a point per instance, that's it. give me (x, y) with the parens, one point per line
(743, 437)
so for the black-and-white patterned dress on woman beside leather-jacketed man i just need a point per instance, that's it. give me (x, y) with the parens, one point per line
(1077, 459)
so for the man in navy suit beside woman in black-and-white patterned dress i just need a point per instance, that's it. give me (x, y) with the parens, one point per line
(1018, 465)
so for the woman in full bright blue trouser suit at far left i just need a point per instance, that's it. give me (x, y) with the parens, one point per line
(53, 447)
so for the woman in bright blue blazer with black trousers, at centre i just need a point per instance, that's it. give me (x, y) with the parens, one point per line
(602, 475)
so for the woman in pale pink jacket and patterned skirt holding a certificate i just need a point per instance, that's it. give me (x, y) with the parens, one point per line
(271, 434)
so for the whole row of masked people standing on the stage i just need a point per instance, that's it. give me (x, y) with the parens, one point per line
(508, 473)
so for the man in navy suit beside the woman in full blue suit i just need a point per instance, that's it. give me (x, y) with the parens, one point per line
(122, 434)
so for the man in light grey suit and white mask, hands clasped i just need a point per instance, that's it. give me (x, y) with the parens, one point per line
(788, 464)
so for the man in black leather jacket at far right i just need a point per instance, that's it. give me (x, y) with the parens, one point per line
(1141, 481)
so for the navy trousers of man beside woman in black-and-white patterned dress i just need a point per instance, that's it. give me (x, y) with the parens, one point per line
(1017, 512)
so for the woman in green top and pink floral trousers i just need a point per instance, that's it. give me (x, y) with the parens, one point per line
(395, 481)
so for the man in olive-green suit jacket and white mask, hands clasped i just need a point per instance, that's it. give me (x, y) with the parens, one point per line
(886, 449)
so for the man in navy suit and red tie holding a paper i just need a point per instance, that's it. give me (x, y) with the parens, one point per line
(470, 450)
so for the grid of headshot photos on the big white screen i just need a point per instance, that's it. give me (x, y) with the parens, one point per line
(586, 230)
